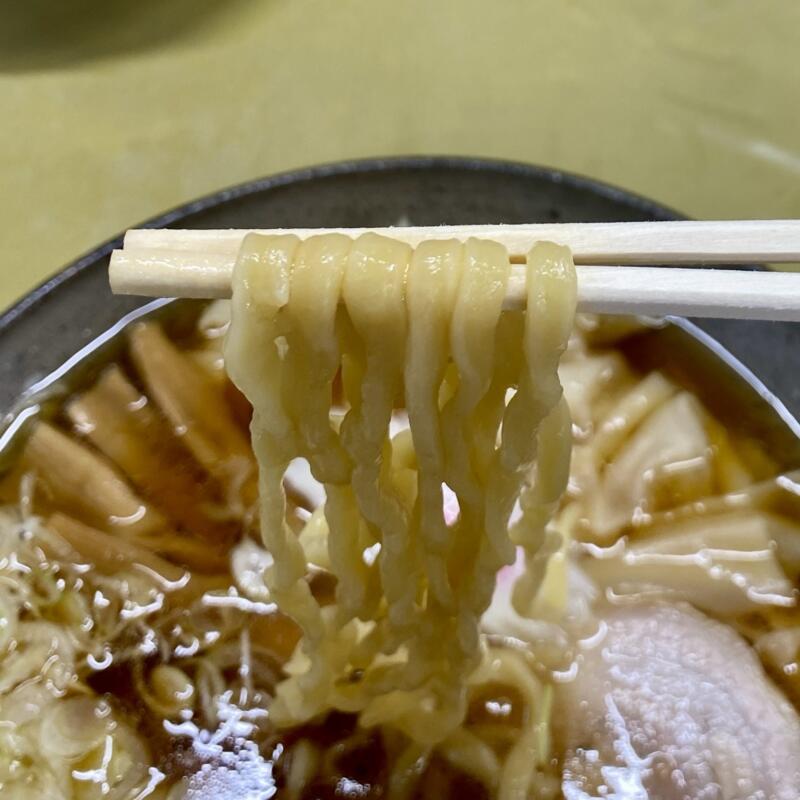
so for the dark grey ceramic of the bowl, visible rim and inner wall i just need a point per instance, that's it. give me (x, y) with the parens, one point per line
(74, 312)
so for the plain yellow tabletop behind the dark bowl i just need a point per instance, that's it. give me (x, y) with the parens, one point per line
(115, 111)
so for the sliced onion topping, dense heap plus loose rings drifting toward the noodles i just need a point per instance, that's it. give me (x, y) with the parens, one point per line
(61, 623)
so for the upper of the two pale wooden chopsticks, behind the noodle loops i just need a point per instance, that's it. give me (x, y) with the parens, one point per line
(681, 242)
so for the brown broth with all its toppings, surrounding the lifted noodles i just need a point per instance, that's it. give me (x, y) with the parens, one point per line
(141, 649)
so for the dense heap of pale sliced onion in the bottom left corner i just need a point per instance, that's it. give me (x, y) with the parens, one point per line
(56, 740)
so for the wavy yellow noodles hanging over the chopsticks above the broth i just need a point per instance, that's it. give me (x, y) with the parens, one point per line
(426, 328)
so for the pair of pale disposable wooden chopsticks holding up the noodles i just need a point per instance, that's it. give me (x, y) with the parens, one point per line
(188, 263)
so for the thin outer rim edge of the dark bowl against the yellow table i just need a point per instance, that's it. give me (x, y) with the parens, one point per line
(354, 166)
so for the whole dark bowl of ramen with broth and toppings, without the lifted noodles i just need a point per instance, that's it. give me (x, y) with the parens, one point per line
(136, 492)
